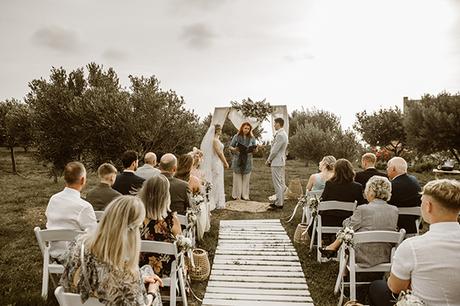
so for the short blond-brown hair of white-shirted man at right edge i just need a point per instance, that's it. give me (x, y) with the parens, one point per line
(445, 192)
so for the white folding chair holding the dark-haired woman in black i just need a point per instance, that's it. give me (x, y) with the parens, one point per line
(320, 229)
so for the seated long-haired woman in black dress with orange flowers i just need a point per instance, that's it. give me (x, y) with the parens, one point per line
(160, 224)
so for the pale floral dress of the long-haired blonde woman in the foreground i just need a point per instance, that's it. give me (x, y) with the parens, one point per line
(113, 287)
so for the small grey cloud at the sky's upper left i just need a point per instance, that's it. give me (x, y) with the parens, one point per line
(56, 38)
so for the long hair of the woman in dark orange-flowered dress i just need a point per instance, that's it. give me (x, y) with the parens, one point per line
(156, 197)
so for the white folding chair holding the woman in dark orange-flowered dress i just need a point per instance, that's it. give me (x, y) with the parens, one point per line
(176, 280)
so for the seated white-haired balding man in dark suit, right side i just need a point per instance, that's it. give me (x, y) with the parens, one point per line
(405, 191)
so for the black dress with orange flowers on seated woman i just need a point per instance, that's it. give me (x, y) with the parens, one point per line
(158, 230)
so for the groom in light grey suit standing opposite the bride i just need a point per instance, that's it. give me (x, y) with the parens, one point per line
(277, 160)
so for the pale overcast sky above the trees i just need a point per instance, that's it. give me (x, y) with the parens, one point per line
(337, 55)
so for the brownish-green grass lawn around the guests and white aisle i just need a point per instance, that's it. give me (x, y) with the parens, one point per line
(22, 207)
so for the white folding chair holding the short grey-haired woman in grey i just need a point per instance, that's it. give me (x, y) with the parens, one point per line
(348, 259)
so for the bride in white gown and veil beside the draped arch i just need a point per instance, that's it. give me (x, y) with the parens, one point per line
(214, 163)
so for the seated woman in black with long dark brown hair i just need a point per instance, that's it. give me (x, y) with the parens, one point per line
(341, 187)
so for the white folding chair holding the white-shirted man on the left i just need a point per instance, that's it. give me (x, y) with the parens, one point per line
(44, 238)
